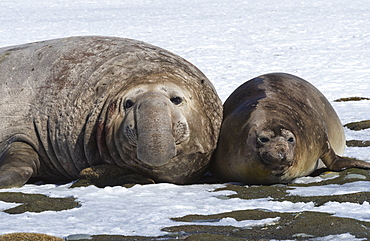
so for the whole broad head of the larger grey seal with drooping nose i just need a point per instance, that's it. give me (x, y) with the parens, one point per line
(162, 127)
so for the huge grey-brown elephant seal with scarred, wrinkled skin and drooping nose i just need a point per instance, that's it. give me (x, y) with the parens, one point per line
(72, 103)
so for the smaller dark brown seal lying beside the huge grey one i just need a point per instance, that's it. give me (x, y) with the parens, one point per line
(278, 127)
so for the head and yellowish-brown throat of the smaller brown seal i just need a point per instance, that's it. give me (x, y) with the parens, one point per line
(270, 151)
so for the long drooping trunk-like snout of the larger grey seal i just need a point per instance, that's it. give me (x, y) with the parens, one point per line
(155, 126)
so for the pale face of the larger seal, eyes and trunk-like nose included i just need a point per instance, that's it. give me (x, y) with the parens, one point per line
(155, 122)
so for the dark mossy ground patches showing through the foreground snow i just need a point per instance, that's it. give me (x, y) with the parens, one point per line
(296, 226)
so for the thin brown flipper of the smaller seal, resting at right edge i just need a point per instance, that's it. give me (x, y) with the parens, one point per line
(337, 163)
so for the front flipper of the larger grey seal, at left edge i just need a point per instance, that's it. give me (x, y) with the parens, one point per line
(18, 162)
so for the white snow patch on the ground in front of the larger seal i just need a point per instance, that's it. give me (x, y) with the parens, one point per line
(140, 210)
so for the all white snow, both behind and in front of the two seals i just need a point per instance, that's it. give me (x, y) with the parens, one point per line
(324, 42)
